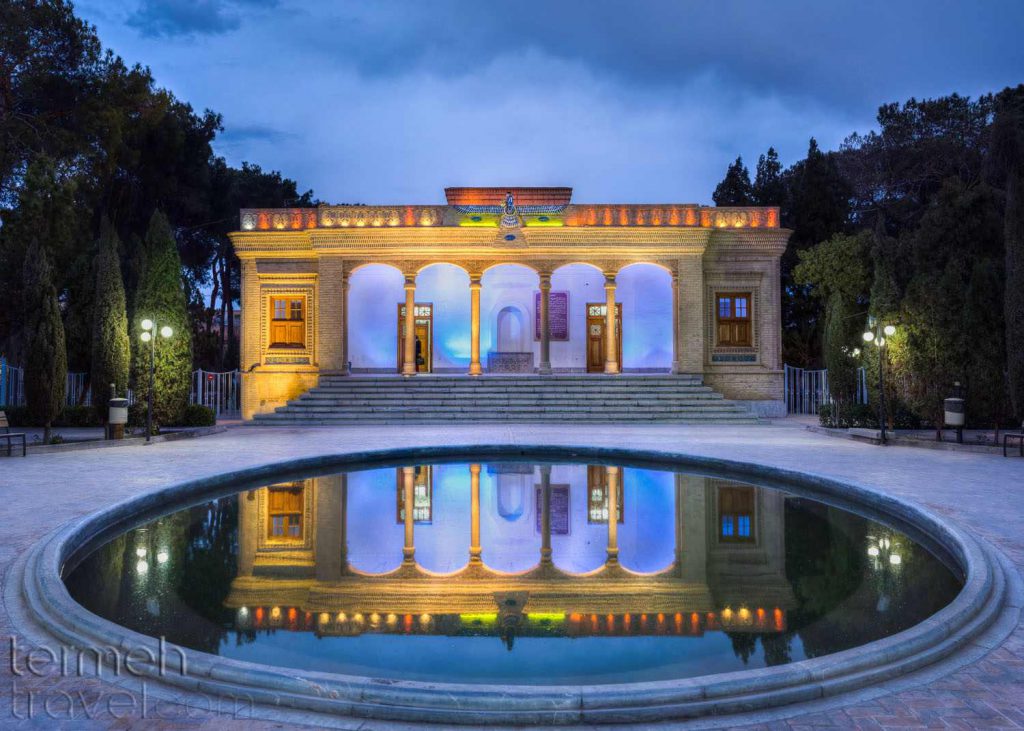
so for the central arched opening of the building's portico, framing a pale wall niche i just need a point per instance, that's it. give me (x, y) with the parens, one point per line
(508, 296)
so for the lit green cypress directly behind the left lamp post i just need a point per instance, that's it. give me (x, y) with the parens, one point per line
(161, 297)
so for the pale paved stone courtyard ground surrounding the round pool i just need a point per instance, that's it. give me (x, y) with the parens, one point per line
(983, 493)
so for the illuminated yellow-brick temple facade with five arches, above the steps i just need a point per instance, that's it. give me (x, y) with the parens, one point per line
(510, 281)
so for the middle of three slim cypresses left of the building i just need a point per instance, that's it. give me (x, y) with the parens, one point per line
(111, 348)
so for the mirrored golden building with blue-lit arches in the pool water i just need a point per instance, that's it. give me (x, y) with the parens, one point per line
(566, 550)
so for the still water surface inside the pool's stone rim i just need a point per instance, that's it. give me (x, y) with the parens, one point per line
(515, 573)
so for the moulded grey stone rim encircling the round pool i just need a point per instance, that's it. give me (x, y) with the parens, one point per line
(975, 609)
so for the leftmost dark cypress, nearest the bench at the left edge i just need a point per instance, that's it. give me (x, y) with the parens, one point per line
(46, 355)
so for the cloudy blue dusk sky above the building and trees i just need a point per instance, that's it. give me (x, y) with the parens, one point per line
(387, 102)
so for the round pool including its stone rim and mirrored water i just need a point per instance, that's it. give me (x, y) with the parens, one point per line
(519, 585)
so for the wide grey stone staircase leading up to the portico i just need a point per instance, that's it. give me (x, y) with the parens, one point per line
(440, 399)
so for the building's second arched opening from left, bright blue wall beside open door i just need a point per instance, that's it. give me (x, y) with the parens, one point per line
(447, 288)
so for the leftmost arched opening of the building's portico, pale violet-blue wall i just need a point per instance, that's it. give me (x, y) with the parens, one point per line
(375, 290)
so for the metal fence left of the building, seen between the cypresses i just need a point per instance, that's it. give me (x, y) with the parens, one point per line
(220, 392)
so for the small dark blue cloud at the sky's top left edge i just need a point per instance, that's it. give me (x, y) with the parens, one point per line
(169, 19)
